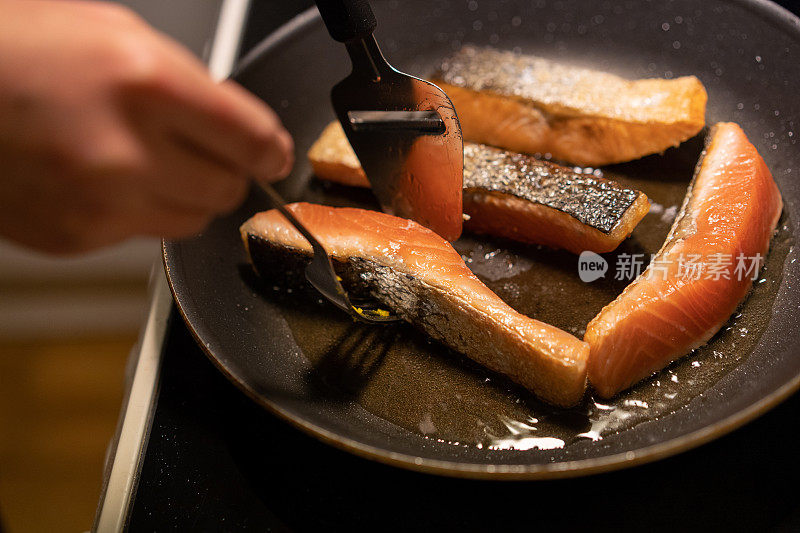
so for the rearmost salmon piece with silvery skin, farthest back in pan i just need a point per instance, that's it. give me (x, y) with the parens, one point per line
(533, 105)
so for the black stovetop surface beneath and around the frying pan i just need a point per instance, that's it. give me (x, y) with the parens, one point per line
(216, 461)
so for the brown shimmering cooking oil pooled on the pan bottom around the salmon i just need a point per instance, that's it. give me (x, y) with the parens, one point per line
(400, 375)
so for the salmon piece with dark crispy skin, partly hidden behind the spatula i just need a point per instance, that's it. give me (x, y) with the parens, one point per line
(516, 196)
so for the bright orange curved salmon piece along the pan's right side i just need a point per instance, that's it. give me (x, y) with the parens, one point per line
(701, 274)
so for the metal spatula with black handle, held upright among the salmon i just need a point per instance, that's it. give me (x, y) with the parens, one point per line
(404, 130)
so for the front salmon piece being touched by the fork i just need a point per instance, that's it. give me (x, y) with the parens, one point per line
(419, 275)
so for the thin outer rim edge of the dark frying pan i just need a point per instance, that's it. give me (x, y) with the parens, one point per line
(771, 12)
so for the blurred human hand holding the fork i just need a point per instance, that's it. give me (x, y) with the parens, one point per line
(108, 129)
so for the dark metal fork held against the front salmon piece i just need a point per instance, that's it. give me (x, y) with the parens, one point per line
(320, 273)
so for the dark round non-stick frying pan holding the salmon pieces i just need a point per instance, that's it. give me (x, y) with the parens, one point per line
(389, 393)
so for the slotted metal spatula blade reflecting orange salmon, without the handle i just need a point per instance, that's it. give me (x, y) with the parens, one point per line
(414, 173)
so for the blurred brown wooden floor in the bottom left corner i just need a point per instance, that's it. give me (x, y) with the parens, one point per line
(59, 402)
